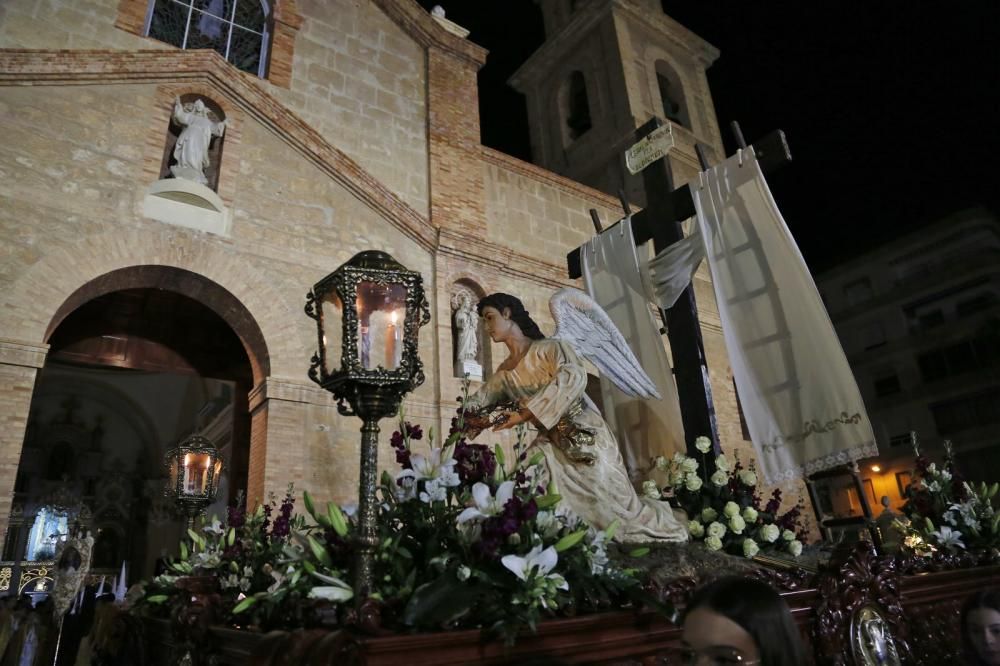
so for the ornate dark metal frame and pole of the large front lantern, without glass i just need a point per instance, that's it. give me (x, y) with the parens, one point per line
(373, 393)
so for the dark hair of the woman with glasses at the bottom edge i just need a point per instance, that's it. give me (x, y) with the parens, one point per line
(760, 611)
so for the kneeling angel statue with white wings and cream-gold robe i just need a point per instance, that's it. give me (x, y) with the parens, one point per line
(545, 379)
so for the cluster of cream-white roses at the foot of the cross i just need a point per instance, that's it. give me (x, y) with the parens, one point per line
(723, 507)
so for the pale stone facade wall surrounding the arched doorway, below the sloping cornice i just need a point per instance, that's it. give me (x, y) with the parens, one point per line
(73, 212)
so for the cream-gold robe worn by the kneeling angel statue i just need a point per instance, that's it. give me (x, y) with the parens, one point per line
(581, 453)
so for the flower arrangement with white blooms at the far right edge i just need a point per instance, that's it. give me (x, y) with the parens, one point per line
(945, 512)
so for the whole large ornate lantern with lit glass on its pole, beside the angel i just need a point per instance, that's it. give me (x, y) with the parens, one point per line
(368, 314)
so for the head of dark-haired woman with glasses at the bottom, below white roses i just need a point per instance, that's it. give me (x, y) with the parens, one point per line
(745, 618)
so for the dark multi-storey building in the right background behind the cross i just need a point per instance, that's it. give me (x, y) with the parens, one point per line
(919, 319)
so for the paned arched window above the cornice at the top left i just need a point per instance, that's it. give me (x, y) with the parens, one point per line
(237, 29)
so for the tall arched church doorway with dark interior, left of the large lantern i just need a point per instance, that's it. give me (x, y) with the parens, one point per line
(139, 359)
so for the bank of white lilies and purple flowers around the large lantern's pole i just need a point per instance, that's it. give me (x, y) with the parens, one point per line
(466, 538)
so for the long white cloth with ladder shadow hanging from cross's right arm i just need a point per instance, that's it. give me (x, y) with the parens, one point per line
(800, 399)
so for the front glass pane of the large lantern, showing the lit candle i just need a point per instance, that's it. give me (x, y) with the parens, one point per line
(381, 315)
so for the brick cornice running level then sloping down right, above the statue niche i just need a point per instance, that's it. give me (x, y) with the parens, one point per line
(91, 67)
